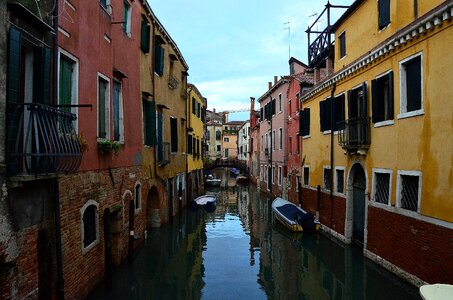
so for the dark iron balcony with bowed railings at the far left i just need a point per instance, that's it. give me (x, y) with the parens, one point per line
(41, 140)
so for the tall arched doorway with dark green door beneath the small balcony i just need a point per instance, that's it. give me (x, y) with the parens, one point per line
(358, 182)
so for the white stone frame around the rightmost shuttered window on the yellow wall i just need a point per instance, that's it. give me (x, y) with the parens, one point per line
(403, 97)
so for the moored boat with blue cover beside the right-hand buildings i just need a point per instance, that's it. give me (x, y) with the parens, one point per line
(293, 217)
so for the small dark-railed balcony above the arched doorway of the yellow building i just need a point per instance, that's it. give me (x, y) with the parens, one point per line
(354, 134)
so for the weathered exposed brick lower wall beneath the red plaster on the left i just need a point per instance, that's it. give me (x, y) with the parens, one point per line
(110, 189)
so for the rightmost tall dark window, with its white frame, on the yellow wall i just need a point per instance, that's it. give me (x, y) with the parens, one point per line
(411, 87)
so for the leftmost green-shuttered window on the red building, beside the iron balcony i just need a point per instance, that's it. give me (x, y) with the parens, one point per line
(67, 86)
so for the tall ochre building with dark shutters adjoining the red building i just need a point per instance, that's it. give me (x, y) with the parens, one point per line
(164, 84)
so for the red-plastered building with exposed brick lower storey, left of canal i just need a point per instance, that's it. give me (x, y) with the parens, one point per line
(99, 63)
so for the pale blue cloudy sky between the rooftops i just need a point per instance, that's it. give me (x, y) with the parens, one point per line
(235, 47)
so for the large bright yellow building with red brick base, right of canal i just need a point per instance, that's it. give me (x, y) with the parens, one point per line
(389, 164)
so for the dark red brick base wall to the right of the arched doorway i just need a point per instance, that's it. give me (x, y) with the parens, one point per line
(427, 247)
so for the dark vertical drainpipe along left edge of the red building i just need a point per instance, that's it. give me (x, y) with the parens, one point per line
(59, 262)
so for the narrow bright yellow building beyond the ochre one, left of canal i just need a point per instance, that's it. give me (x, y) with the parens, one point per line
(196, 110)
